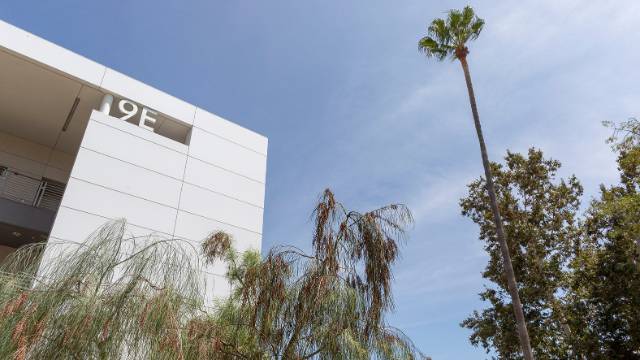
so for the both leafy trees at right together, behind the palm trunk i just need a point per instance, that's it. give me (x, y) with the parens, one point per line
(579, 273)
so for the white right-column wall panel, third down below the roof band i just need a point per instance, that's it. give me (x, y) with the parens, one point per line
(221, 208)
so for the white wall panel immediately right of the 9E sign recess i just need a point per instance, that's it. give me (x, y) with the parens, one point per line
(228, 155)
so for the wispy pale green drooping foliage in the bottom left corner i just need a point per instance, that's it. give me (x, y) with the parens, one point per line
(112, 296)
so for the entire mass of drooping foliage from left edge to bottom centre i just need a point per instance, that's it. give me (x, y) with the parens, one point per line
(120, 296)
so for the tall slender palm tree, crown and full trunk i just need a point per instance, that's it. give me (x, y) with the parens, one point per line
(448, 38)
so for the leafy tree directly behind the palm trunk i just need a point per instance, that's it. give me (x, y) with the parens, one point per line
(539, 213)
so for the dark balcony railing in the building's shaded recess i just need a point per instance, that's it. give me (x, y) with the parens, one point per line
(42, 193)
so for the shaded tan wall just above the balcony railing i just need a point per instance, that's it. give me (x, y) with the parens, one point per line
(33, 159)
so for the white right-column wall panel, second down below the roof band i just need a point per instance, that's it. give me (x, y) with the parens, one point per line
(223, 181)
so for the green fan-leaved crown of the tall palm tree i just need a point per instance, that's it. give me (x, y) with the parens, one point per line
(449, 37)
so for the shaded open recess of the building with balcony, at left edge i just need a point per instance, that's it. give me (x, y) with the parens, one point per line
(43, 115)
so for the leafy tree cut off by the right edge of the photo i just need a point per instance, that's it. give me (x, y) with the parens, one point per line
(606, 285)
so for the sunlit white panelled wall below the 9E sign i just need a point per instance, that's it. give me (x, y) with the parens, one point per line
(165, 187)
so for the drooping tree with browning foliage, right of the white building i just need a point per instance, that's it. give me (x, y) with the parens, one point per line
(329, 304)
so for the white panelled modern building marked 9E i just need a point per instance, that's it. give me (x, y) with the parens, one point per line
(81, 144)
